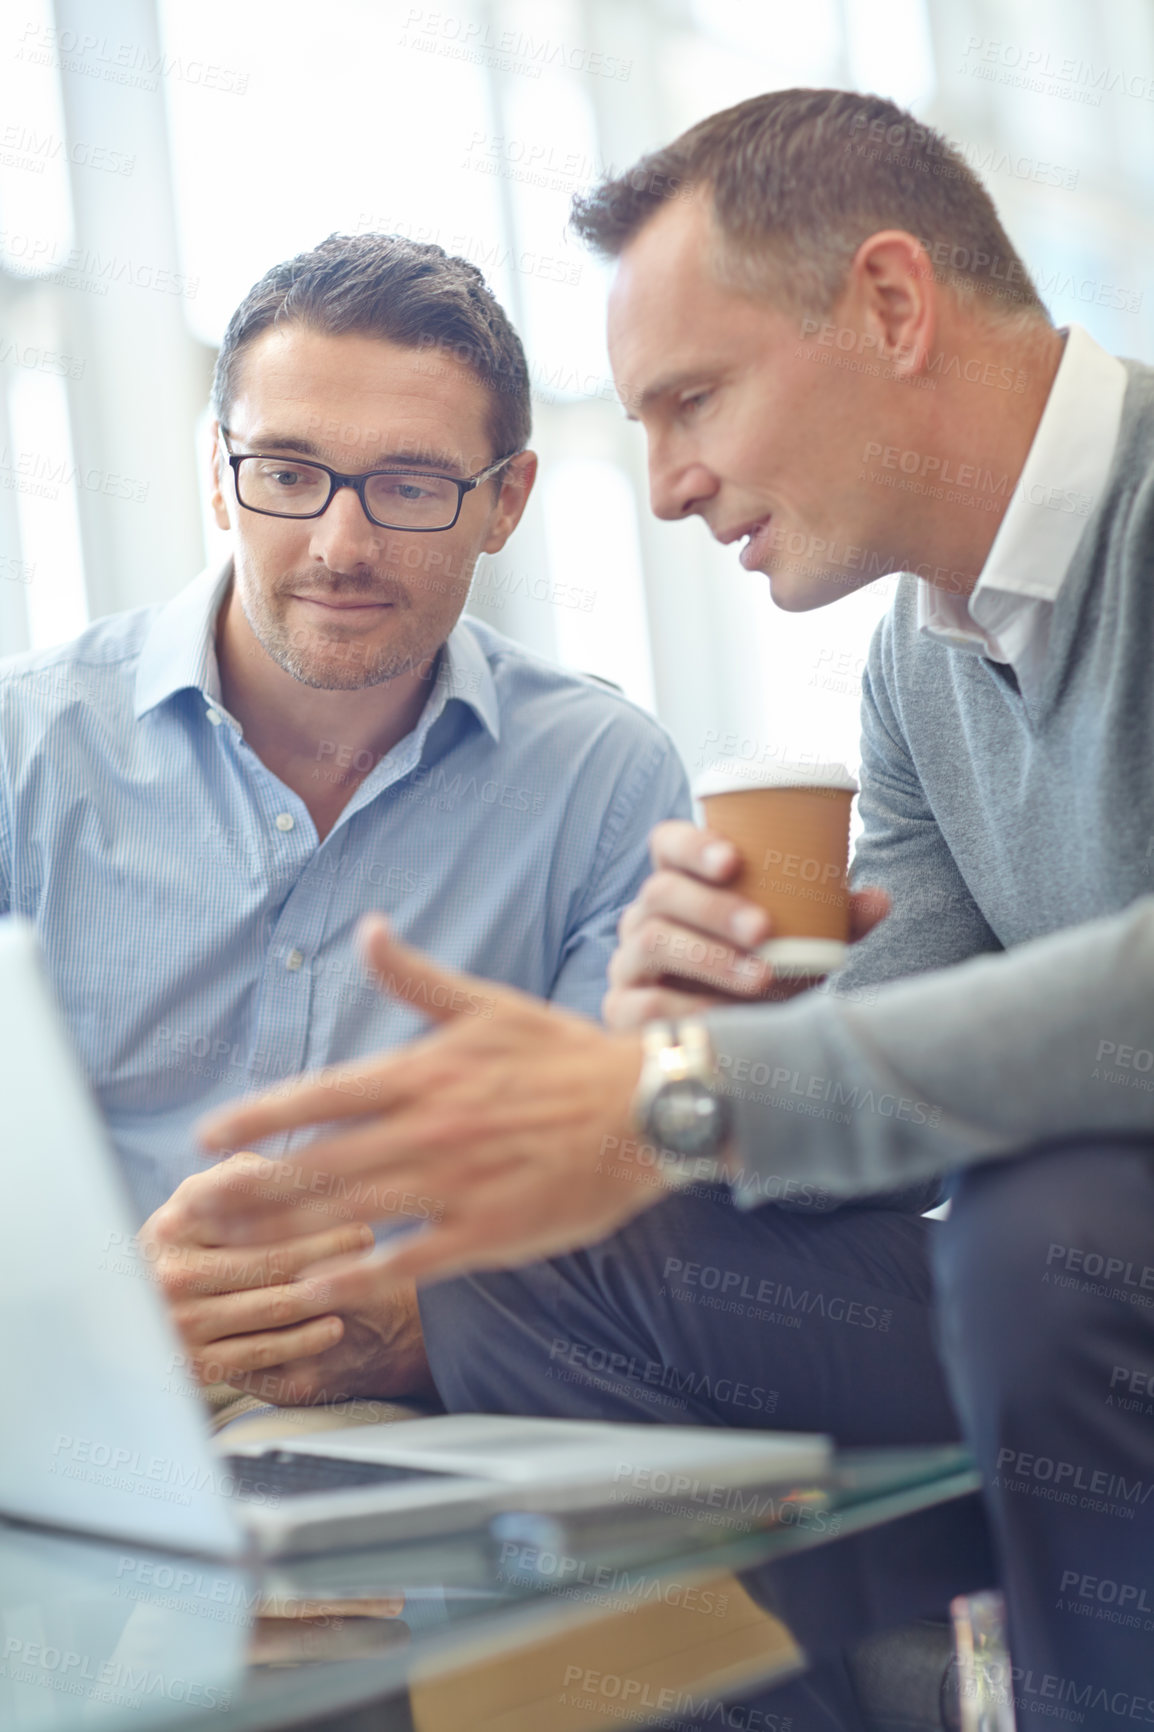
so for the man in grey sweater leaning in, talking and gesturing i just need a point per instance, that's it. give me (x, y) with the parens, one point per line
(841, 359)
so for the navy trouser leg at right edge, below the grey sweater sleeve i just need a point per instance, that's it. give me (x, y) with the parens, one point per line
(1046, 1277)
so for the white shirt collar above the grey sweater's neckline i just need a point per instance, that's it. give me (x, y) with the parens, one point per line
(1061, 486)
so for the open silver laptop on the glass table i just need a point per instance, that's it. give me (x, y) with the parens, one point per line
(105, 1433)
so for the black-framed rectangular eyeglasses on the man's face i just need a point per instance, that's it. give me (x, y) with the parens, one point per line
(394, 500)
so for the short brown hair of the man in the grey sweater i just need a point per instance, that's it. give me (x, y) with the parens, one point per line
(800, 179)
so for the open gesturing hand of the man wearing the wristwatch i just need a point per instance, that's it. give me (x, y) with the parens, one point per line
(505, 1127)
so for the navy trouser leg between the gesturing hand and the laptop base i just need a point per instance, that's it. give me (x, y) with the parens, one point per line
(704, 1315)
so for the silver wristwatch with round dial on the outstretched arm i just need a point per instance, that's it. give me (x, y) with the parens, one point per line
(678, 1106)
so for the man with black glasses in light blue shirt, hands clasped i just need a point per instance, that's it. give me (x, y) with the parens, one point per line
(200, 801)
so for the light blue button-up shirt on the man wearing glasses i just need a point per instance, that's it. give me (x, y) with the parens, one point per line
(200, 938)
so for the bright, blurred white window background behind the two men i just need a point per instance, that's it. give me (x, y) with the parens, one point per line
(157, 157)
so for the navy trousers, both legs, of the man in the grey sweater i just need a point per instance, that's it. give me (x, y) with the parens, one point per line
(697, 1314)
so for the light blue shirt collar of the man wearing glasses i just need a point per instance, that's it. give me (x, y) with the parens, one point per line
(179, 654)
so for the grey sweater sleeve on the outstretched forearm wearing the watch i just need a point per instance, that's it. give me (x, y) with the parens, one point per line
(1051, 1040)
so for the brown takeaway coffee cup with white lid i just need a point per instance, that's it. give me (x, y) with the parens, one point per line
(791, 827)
